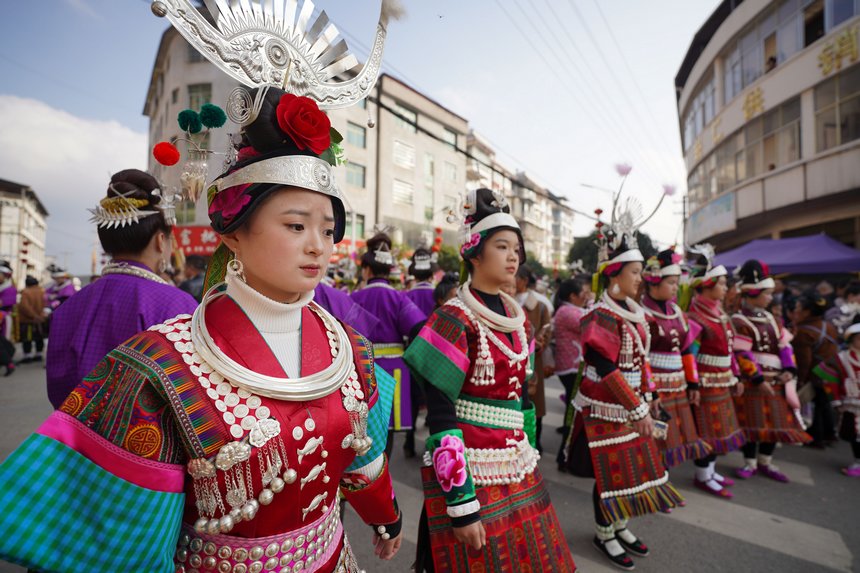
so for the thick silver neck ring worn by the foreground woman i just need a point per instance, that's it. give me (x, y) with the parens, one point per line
(300, 389)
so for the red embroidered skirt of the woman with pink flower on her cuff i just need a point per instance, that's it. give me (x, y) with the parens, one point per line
(523, 533)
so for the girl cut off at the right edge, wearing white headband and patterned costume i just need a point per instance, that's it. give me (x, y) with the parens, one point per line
(841, 375)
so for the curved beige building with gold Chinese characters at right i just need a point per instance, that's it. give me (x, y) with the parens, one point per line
(769, 110)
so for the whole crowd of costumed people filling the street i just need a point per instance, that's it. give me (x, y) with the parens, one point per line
(223, 424)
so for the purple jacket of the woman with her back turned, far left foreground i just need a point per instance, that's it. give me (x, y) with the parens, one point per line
(100, 317)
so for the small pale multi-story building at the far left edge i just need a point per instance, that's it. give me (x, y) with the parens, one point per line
(22, 230)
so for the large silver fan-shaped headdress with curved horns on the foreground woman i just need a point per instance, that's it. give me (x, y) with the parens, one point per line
(273, 43)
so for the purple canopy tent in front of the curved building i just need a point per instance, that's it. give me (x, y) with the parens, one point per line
(813, 254)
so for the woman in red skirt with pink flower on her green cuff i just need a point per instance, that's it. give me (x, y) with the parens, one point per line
(486, 507)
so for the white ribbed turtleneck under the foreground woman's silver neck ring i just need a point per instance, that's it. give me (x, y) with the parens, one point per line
(280, 324)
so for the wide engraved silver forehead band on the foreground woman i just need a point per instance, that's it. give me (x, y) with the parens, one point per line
(302, 171)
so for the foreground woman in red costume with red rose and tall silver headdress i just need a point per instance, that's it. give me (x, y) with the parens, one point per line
(221, 441)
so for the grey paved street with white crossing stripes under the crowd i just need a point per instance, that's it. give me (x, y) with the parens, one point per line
(807, 526)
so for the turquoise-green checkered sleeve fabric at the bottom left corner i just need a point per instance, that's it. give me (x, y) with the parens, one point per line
(60, 512)
